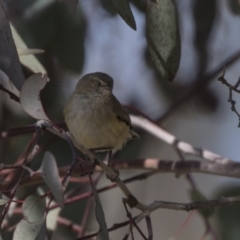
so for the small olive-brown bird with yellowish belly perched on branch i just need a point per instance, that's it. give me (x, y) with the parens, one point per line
(95, 117)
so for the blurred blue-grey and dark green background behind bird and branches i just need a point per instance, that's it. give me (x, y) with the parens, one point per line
(95, 38)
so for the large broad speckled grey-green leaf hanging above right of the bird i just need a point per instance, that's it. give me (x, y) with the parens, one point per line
(163, 37)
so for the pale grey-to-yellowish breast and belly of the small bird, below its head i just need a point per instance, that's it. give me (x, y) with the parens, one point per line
(95, 125)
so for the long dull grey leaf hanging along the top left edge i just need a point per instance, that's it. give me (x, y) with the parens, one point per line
(9, 61)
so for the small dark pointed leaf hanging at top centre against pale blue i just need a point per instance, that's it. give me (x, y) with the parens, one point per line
(124, 10)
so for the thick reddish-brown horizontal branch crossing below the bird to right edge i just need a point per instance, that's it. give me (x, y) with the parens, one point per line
(231, 169)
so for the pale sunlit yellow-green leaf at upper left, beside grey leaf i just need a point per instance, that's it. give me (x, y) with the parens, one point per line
(29, 61)
